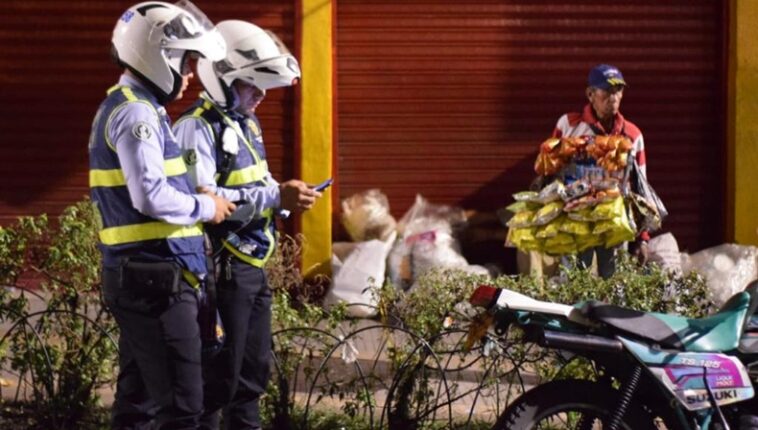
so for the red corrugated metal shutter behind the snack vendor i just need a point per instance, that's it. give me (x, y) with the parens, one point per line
(450, 99)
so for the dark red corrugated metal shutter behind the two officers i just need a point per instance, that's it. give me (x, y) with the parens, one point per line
(54, 70)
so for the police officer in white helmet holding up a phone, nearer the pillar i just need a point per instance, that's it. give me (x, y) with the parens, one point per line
(223, 146)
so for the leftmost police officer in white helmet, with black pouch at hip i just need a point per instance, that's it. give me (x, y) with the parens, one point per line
(151, 236)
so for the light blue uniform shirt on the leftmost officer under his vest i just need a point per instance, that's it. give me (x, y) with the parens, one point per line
(142, 163)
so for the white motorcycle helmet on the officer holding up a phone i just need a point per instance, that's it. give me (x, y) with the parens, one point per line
(254, 55)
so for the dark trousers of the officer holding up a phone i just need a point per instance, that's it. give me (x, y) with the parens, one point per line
(237, 376)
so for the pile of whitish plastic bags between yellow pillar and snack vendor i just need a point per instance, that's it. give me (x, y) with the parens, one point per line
(402, 251)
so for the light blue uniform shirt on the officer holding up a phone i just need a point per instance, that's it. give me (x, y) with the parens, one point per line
(193, 135)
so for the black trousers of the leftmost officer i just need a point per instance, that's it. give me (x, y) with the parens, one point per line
(160, 374)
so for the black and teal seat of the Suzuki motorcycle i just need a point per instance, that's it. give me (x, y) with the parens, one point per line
(718, 332)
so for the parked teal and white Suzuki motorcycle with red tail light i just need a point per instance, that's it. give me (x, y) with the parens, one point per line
(655, 371)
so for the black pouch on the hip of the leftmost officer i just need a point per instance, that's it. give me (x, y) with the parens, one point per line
(152, 278)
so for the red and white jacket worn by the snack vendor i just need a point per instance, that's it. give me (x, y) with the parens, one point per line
(586, 124)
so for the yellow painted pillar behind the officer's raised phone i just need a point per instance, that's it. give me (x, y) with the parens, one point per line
(316, 133)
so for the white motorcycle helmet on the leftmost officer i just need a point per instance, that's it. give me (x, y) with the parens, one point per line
(152, 40)
